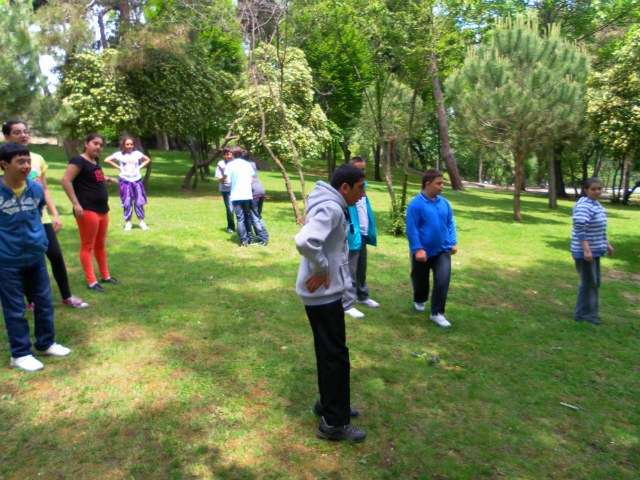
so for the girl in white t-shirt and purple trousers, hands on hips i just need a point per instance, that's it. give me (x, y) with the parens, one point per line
(131, 188)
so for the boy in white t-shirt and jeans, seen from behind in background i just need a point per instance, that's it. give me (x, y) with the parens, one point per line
(238, 173)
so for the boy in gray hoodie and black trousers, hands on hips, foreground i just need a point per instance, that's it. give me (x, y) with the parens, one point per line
(323, 277)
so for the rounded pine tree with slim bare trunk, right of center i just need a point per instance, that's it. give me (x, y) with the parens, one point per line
(520, 92)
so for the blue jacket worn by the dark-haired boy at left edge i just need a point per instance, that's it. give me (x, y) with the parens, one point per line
(23, 240)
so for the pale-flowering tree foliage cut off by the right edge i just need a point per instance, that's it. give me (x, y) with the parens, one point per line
(613, 97)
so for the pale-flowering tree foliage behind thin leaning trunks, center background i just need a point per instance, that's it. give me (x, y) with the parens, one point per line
(307, 122)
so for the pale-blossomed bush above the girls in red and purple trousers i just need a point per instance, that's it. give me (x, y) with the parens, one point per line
(93, 96)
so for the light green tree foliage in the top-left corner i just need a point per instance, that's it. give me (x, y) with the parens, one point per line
(19, 73)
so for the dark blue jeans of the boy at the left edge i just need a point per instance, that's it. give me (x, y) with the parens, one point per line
(12, 292)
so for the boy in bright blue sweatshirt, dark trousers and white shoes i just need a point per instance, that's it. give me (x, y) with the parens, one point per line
(431, 232)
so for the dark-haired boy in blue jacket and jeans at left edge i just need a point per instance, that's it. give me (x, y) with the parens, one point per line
(23, 243)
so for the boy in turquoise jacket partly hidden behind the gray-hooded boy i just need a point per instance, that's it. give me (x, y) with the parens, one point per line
(364, 233)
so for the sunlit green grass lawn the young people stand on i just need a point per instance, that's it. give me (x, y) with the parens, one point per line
(201, 364)
